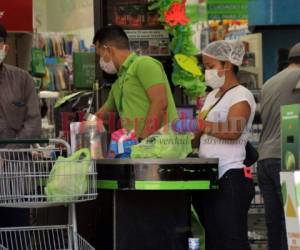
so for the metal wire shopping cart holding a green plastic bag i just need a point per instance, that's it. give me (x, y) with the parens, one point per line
(24, 174)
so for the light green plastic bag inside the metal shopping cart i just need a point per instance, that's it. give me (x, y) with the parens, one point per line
(68, 178)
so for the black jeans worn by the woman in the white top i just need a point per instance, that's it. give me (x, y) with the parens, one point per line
(224, 212)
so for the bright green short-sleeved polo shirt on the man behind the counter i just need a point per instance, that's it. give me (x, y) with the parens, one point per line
(128, 95)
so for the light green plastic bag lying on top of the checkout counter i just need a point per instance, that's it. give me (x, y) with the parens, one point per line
(164, 145)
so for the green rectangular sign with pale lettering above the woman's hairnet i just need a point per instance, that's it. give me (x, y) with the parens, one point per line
(227, 9)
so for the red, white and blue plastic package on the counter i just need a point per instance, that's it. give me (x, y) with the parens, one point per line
(121, 143)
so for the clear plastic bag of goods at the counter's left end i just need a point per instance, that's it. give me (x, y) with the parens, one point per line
(90, 134)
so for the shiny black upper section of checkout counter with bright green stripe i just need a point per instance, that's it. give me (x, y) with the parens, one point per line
(157, 174)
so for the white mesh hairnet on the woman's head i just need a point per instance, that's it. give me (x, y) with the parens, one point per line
(232, 51)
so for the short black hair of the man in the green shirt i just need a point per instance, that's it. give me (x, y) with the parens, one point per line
(112, 34)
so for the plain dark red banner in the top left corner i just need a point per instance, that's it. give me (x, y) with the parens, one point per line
(16, 15)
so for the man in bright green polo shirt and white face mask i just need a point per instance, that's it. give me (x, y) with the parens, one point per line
(141, 94)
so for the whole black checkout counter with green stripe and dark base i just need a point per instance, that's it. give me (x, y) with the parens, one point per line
(145, 204)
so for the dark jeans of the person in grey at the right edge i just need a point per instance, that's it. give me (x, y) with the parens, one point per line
(269, 184)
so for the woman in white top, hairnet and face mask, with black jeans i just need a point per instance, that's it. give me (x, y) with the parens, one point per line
(224, 130)
